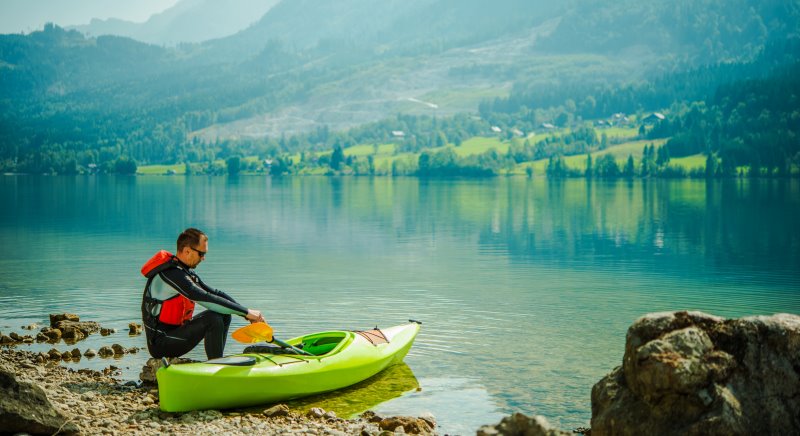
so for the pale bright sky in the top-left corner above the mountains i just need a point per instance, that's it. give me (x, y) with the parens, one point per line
(29, 15)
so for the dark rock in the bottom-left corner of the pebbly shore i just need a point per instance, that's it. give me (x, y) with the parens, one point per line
(24, 408)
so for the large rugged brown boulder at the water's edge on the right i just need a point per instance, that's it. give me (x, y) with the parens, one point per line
(690, 373)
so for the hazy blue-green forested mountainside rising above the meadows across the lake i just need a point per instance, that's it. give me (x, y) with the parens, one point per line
(313, 75)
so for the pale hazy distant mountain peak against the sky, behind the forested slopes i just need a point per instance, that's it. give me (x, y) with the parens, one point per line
(187, 21)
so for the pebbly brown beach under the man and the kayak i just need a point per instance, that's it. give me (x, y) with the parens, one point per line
(95, 402)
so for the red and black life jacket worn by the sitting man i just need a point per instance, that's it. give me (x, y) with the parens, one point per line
(172, 311)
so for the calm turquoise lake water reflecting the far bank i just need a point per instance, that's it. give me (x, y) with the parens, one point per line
(525, 288)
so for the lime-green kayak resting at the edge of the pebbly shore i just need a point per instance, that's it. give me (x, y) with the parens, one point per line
(265, 374)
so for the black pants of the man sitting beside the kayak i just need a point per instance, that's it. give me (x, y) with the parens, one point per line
(212, 327)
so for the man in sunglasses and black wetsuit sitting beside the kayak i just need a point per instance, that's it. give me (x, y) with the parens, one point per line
(169, 298)
